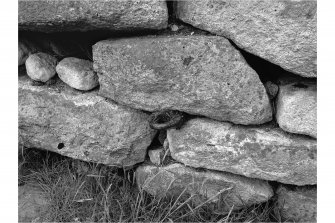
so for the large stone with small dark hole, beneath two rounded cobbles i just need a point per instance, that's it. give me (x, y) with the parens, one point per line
(80, 125)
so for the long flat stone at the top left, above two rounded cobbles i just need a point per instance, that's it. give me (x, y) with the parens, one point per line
(84, 15)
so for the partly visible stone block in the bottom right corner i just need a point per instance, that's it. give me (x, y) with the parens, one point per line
(298, 205)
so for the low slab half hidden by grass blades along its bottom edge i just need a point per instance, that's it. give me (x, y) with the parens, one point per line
(205, 185)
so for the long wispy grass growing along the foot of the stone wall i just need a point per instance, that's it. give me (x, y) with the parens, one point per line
(107, 194)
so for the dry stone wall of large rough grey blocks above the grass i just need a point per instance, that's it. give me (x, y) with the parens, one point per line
(95, 75)
